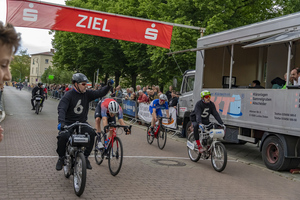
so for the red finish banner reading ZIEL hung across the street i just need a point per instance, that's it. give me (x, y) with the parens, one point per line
(32, 14)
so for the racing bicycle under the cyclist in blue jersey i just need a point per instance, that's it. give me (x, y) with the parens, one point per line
(160, 133)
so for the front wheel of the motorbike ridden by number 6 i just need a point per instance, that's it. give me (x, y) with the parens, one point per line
(79, 178)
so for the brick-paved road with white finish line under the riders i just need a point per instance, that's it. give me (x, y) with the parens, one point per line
(28, 158)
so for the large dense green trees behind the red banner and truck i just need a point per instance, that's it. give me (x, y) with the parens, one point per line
(146, 64)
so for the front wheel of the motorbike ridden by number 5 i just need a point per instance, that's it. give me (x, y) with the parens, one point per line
(219, 157)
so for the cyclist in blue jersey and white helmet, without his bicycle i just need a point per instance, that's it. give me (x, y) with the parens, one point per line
(155, 109)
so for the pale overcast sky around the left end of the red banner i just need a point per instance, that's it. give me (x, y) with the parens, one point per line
(34, 40)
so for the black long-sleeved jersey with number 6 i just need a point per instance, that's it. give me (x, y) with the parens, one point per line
(74, 106)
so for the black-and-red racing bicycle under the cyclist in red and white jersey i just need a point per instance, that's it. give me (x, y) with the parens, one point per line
(113, 151)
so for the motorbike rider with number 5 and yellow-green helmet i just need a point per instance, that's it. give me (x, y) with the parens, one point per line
(200, 116)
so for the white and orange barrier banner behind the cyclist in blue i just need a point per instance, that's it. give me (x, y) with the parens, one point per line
(144, 114)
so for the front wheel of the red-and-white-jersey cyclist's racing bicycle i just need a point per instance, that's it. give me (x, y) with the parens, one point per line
(115, 156)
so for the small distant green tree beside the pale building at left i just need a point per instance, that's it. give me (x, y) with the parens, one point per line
(20, 66)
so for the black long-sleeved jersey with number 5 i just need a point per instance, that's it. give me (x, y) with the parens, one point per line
(203, 110)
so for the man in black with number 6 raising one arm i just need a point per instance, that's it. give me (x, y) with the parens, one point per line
(73, 107)
